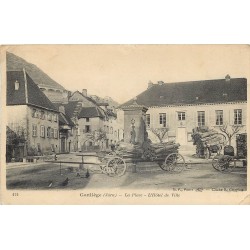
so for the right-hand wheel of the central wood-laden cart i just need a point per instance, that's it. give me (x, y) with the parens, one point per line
(174, 163)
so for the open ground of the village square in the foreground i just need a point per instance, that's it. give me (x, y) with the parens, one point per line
(148, 176)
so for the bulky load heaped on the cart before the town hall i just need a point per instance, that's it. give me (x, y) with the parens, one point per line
(203, 137)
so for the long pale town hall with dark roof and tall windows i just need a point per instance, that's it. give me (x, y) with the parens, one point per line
(182, 106)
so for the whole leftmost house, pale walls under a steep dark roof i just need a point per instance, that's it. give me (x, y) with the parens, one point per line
(30, 114)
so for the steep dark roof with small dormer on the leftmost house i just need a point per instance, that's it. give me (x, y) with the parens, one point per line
(28, 92)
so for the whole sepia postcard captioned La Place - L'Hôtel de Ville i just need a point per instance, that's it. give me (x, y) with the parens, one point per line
(124, 124)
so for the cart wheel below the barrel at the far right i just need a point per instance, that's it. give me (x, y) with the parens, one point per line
(223, 163)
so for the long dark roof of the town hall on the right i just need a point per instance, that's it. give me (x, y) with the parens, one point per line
(195, 92)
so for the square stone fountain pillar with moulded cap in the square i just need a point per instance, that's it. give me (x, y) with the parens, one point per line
(134, 123)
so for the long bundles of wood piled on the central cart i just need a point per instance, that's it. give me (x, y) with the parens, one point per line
(147, 151)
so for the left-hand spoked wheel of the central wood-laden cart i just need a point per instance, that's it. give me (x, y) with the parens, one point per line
(115, 166)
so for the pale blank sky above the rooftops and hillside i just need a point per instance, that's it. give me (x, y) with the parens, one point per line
(123, 71)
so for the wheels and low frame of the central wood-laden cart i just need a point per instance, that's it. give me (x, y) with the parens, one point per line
(115, 164)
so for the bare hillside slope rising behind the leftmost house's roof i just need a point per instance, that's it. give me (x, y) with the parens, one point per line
(16, 63)
